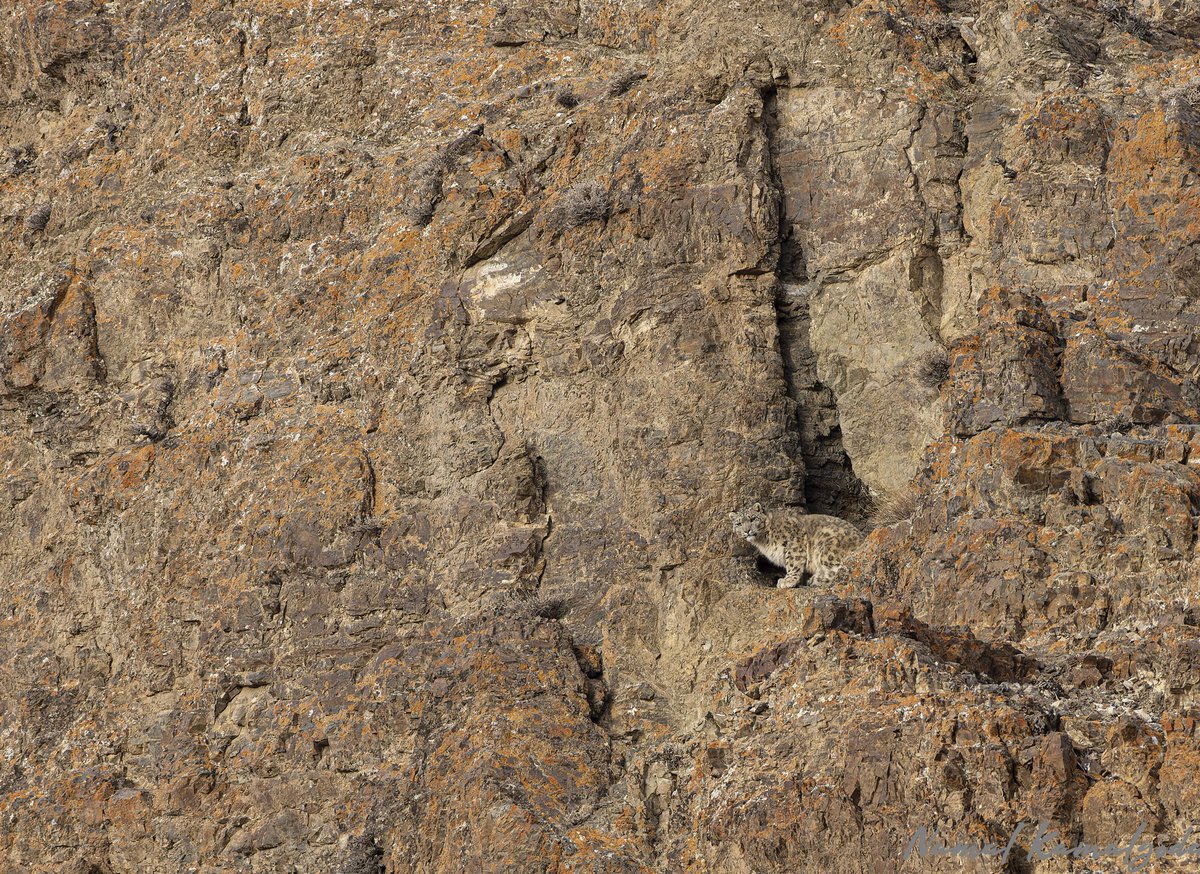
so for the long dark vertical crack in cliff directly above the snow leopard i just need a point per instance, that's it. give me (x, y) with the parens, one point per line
(831, 486)
